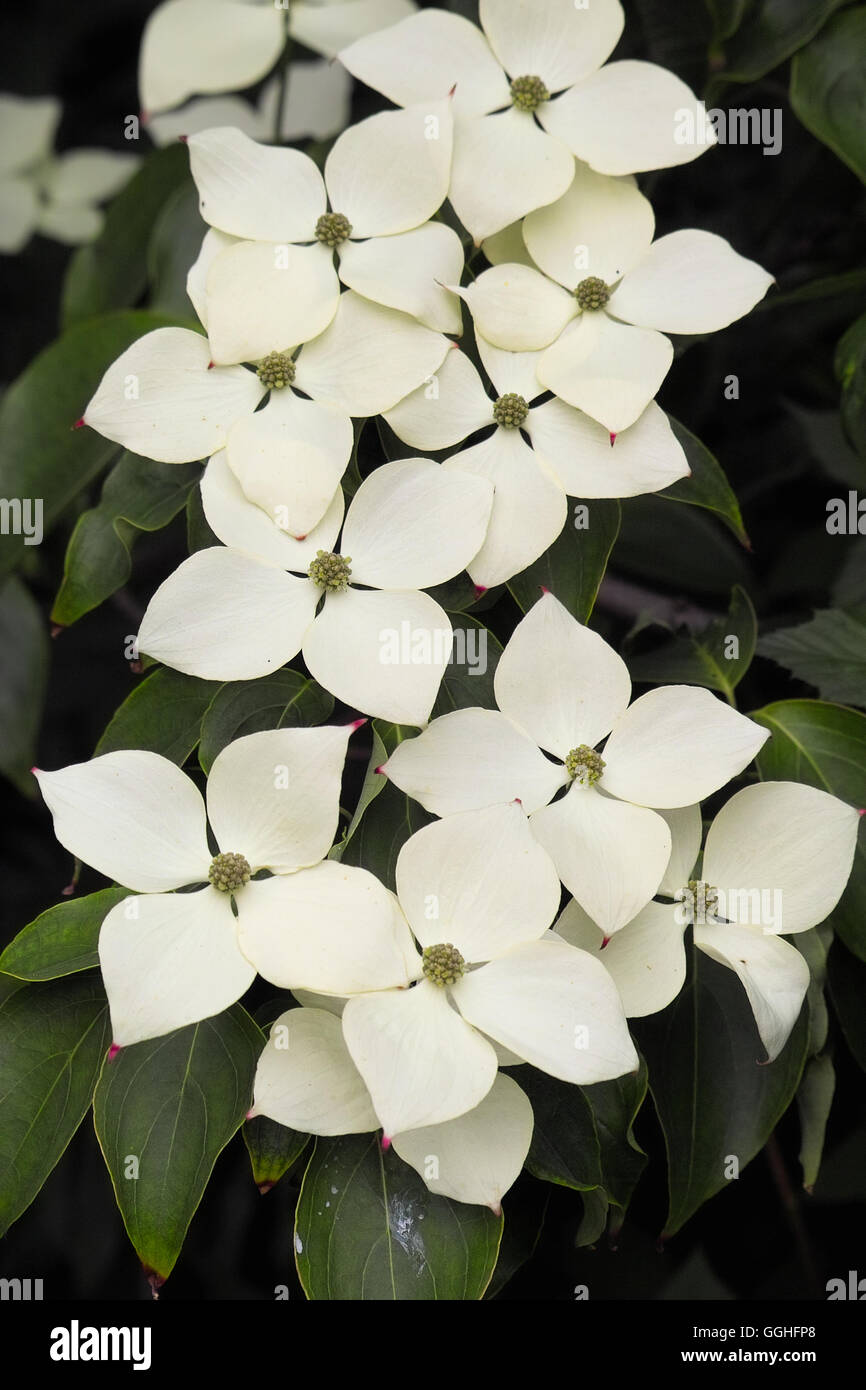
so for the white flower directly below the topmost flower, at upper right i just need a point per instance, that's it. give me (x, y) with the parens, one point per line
(611, 297)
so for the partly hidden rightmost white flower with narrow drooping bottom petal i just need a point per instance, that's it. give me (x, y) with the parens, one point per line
(776, 862)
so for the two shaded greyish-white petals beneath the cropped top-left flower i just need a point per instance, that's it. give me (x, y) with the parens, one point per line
(319, 105)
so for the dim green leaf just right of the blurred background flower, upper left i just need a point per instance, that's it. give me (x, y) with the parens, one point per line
(112, 272)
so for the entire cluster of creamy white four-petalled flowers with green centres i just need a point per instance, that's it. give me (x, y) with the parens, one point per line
(332, 297)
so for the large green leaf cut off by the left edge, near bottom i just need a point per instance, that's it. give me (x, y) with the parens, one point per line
(54, 1040)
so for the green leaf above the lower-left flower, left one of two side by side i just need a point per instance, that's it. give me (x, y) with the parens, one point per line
(163, 715)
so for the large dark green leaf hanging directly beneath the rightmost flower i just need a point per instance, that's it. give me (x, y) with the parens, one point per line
(715, 1102)
